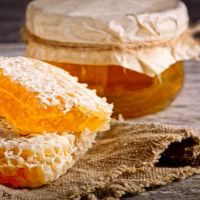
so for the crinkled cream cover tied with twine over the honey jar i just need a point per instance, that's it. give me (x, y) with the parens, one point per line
(144, 36)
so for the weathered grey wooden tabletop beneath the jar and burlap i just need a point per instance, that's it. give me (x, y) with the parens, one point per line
(184, 112)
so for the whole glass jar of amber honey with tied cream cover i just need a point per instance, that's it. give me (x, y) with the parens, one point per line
(130, 51)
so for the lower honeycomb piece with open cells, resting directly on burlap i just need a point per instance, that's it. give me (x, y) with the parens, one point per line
(37, 159)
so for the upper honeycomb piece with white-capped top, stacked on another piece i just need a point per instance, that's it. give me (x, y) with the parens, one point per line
(37, 97)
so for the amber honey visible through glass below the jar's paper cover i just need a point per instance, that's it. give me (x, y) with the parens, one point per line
(133, 94)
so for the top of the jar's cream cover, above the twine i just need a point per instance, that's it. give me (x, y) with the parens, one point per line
(106, 21)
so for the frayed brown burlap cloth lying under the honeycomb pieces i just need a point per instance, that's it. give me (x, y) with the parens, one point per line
(127, 159)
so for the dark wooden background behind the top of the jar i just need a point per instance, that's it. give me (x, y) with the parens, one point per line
(12, 17)
